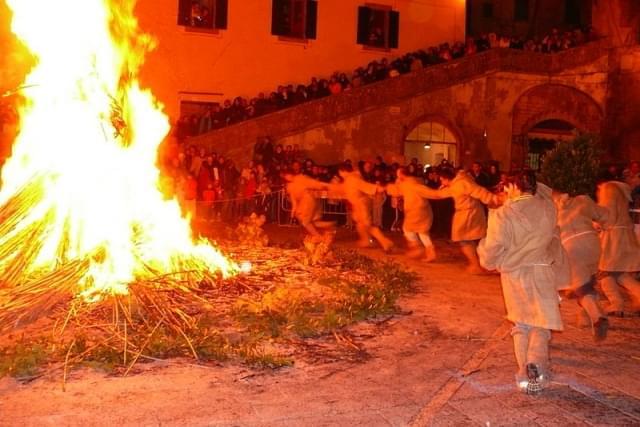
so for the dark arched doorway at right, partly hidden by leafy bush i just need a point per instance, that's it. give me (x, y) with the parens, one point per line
(545, 136)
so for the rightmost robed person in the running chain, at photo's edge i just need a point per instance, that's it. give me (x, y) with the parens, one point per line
(620, 251)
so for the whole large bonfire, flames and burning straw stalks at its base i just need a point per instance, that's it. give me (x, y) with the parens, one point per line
(82, 218)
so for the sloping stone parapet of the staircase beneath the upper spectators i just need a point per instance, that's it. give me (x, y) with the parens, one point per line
(236, 141)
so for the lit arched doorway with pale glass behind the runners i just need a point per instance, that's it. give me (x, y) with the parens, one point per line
(431, 142)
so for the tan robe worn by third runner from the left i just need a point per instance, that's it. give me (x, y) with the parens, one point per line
(418, 215)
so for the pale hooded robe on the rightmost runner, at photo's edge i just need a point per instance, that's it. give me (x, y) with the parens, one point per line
(619, 246)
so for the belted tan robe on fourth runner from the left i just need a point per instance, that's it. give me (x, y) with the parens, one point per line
(469, 219)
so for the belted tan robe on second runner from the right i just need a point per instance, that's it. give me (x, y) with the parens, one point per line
(576, 216)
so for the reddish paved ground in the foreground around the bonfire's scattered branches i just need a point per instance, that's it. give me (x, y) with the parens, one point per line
(446, 361)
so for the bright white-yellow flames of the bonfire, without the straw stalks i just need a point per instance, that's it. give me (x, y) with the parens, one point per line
(93, 133)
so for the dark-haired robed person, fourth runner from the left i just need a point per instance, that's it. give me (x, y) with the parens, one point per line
(469, 223)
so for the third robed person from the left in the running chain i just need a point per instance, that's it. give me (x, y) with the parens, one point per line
(418, 216)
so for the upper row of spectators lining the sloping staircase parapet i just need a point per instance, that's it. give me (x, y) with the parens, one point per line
(240, 109)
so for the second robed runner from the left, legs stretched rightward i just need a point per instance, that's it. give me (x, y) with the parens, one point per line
(359, 194)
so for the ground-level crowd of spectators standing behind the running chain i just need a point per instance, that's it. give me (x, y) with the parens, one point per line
(211, 187)
